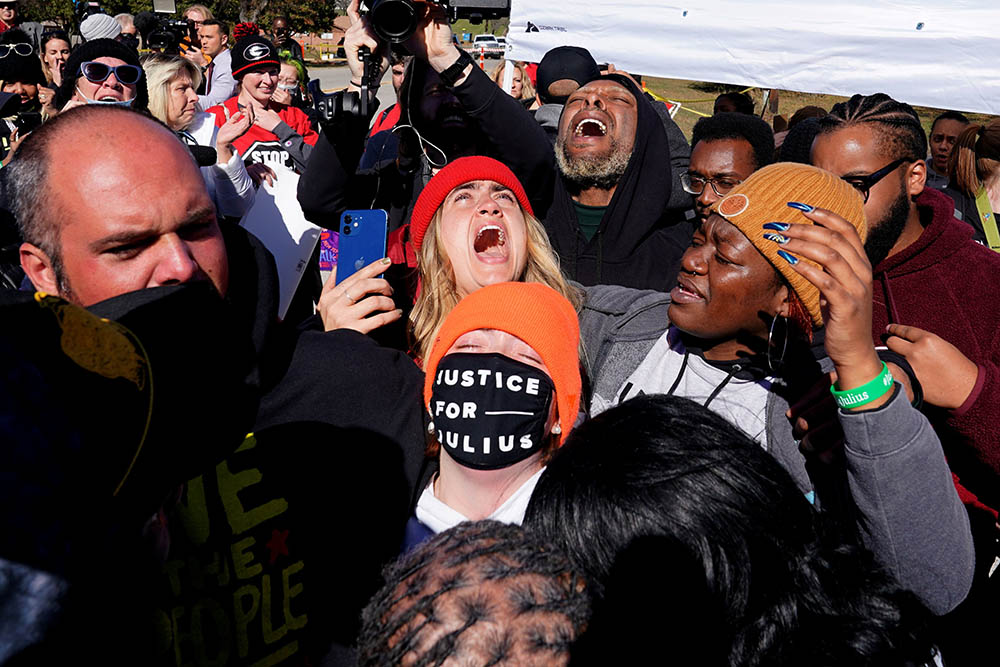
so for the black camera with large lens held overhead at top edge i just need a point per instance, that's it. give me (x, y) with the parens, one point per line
(395, 20)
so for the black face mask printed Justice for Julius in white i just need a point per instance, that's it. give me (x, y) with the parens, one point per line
(489, 411)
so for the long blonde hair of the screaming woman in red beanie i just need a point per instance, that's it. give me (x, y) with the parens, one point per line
(439, 294)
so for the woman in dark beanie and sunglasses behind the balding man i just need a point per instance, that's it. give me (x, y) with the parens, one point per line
(102, 71)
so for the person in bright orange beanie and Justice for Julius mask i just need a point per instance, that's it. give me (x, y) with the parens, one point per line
(502, 388)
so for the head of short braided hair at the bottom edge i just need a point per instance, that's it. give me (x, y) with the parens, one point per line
(481, 593)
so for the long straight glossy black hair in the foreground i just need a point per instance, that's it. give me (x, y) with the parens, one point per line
(736, 562)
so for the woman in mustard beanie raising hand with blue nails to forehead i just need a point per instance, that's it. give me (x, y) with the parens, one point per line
(780, 260)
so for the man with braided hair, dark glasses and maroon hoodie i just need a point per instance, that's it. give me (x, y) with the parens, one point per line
(934, 288)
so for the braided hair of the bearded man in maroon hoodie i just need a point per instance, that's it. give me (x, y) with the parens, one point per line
(896, 125)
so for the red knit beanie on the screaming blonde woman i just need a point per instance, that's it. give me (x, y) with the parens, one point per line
(462, 170)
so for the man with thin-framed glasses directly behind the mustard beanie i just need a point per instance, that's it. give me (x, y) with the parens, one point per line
(725, 149)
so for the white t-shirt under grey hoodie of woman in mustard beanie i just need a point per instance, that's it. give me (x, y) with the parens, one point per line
(742, 402)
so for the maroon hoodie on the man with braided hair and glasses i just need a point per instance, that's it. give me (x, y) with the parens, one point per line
(945, 283)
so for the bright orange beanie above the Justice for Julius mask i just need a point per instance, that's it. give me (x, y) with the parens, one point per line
(535, 313)
